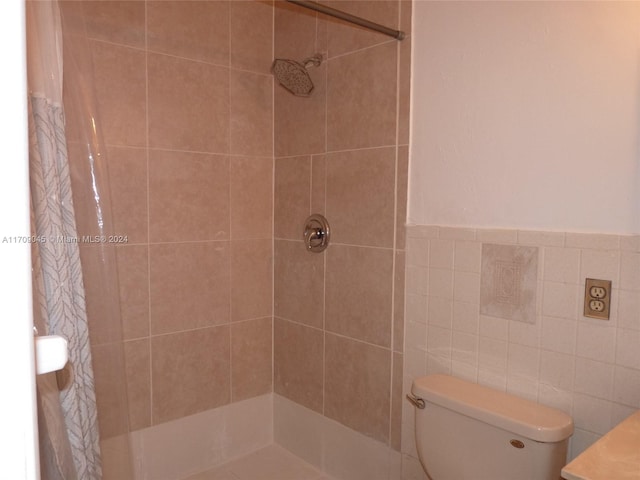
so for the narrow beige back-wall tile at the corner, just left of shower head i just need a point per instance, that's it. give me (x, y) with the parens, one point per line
(251, 100)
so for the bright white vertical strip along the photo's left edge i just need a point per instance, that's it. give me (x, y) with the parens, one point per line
(18, 423)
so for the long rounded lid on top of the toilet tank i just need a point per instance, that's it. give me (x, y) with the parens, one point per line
(508, 412)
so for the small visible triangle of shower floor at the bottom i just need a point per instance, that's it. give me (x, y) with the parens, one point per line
(270, 463)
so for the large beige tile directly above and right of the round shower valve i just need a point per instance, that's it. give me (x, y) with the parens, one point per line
(361, 197)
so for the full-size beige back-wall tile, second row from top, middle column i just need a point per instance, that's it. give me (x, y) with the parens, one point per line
(188, 105)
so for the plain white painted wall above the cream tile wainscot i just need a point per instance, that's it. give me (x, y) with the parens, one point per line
(526, 115)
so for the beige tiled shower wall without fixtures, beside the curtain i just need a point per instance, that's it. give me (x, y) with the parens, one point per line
(185, 98)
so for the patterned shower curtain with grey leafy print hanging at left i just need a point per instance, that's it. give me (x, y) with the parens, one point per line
(67, 409)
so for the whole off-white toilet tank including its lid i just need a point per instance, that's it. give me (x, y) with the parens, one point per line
(471, 432)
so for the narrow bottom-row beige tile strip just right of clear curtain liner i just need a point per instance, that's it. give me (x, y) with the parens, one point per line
(137, 355)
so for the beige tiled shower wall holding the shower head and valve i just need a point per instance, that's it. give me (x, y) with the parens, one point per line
(343, 153)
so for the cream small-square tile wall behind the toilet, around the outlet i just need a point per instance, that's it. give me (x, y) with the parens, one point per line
(586, 367)
